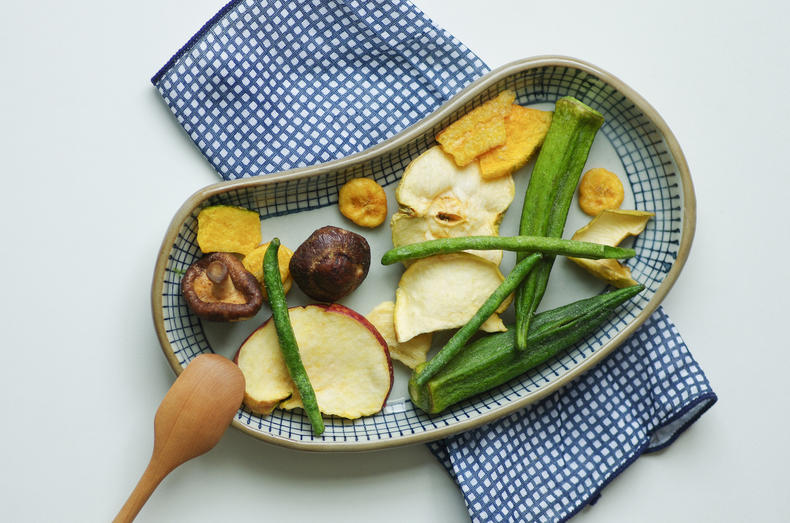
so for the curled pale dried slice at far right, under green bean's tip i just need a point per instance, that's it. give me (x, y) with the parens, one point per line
(611, 227)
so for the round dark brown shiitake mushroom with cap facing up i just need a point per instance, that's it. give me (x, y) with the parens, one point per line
(331, 263)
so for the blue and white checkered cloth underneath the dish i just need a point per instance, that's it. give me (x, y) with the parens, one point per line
(270, 85)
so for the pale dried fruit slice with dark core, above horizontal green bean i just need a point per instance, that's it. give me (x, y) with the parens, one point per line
(438, 199)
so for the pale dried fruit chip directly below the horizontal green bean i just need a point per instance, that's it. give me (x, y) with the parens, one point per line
(444, 292)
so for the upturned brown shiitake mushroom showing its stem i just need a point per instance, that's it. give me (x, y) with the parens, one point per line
(217, 287)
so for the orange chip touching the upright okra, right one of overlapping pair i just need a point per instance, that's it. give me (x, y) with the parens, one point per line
(525, 128)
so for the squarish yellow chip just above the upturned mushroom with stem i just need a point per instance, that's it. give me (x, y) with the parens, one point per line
(226, 228)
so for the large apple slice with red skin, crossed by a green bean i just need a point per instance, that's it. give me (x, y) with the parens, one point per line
(345, 357)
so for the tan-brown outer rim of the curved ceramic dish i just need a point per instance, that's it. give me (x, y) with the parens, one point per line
(394, 142)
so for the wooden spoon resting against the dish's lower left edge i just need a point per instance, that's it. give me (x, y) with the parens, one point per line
(190, 421)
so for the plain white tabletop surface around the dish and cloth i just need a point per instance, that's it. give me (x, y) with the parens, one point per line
(94, 166)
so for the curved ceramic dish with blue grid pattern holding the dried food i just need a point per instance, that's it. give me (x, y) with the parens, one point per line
(634, 142)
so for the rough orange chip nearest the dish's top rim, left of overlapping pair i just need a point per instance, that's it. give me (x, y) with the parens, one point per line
(478, 131)
